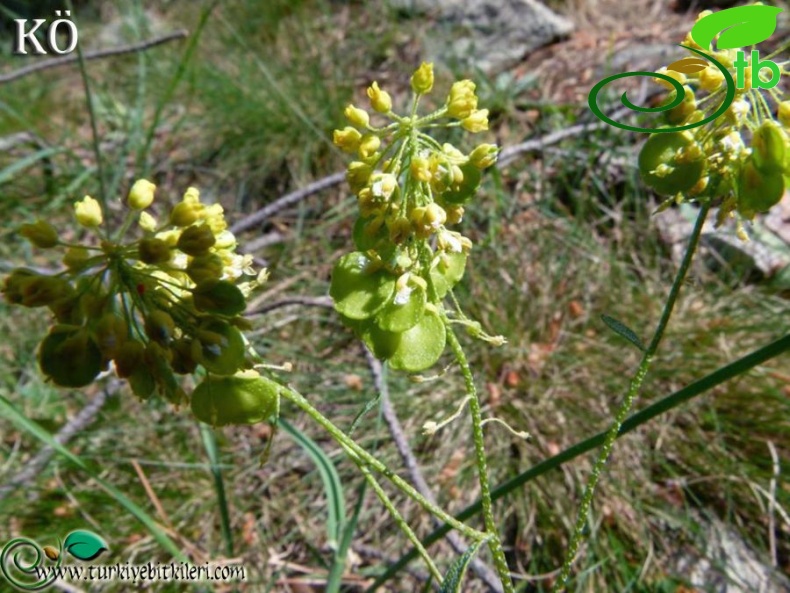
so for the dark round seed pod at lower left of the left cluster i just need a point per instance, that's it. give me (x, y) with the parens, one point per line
(69, 357)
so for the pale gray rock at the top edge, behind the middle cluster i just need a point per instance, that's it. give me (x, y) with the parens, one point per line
(491, 35)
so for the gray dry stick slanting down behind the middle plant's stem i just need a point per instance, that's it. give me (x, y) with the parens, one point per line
(480, 568)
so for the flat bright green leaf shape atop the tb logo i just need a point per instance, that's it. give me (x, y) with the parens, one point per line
(739, 26)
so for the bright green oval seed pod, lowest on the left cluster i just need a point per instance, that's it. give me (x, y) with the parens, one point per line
(245, 398)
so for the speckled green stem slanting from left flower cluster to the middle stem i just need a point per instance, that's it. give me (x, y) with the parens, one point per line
(359, 455)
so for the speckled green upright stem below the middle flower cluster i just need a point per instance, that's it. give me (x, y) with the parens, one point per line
(492, 530)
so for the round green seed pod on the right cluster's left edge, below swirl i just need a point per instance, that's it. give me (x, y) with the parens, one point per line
(661, 171)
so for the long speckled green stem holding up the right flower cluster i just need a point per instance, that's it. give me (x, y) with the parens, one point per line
(622, 411)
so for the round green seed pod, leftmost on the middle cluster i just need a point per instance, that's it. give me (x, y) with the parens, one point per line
(358, 290)
